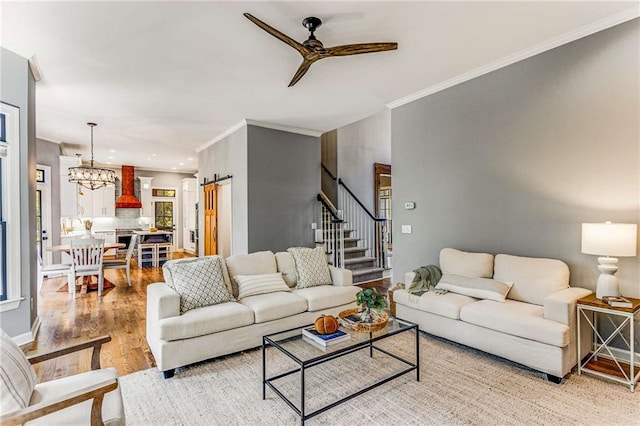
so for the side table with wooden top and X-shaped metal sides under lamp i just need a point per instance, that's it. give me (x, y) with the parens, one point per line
(601, 361)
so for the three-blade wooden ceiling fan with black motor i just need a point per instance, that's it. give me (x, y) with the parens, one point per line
(312, 49)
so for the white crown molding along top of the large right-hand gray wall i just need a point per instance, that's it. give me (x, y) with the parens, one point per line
(584, 31)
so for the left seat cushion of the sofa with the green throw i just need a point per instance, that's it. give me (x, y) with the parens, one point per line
(447, 305)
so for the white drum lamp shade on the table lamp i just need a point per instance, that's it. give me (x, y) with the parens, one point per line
(609, 239)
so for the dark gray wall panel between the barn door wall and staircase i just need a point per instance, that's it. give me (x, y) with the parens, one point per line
(284, 180)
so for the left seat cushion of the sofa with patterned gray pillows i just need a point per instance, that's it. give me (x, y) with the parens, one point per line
(206, 320)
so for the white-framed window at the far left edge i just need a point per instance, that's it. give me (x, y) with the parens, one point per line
(9, 207)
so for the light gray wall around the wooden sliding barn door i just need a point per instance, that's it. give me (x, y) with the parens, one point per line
(229, 157)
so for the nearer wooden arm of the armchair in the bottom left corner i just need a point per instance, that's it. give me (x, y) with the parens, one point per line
(95, 392)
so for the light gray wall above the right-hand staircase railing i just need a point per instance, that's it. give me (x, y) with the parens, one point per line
(360, 145)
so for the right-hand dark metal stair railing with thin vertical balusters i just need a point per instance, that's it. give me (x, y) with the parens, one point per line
(370, 230)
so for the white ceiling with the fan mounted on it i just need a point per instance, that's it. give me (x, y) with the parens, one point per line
(164, 78)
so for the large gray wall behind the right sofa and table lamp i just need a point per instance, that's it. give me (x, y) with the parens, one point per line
(514, 161)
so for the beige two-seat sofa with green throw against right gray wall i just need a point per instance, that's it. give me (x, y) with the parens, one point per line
(534, 326)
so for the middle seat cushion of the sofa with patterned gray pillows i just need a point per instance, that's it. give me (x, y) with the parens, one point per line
(272, 306)
